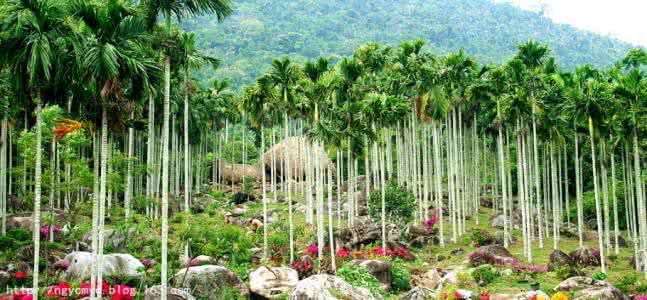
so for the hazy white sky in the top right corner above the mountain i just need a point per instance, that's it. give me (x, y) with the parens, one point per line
(623, 19)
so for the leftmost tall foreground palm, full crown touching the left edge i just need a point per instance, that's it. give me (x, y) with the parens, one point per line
(30, 53)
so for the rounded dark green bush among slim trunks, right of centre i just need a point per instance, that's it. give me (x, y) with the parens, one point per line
(399, 204)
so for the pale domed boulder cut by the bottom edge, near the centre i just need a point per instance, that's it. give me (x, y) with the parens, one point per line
(328, 287)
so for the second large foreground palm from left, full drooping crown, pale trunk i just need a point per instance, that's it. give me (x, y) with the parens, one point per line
(113, 54)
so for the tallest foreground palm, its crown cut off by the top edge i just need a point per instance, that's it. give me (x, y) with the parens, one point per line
(178, 9)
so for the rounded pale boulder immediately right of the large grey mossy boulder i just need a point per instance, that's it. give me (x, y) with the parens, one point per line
(272, 282)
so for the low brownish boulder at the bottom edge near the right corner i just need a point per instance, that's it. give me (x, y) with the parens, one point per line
(588, 288)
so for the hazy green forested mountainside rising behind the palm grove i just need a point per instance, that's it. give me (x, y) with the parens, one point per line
(261, 30)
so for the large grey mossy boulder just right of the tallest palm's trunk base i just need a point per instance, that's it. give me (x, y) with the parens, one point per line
(208, 281)
